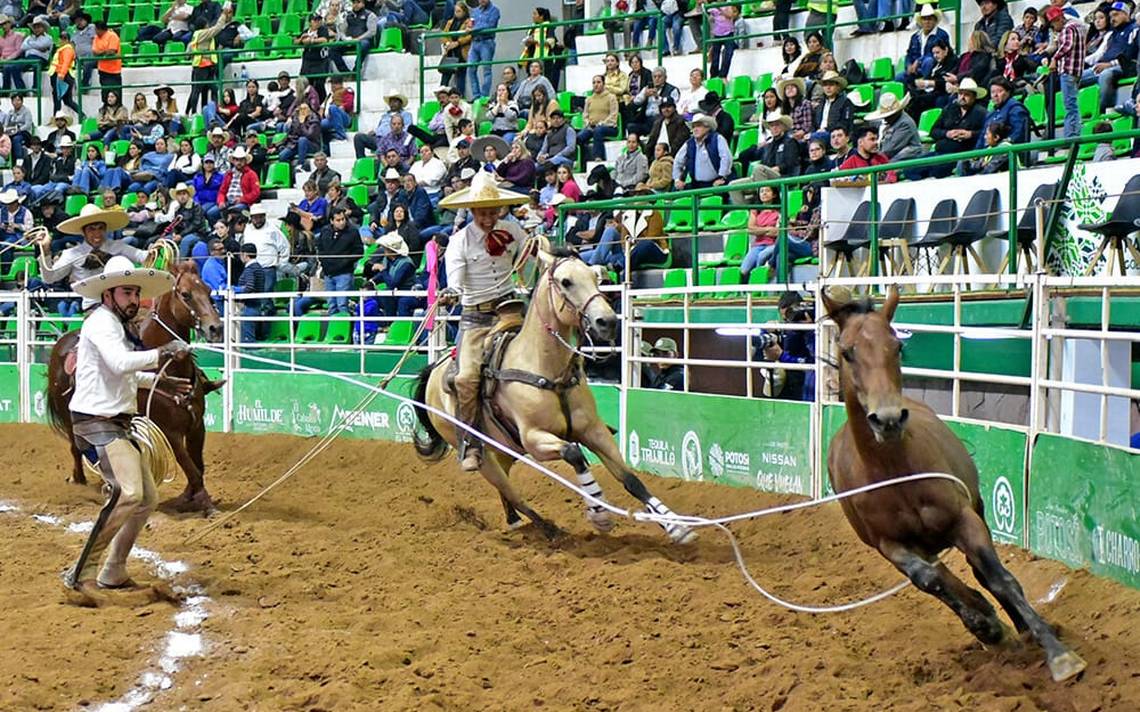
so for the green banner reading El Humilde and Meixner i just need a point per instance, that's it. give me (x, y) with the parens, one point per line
(312, 404)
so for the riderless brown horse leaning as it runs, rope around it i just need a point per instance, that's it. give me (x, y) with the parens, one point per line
(889, 437)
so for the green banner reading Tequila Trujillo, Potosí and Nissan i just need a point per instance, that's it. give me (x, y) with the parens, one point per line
(746, 443)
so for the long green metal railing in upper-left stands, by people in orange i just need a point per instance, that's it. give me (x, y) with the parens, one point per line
(224, 59)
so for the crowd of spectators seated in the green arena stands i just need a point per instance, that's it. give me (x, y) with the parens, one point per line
(675, 133)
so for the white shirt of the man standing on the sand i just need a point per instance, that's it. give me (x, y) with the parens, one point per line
(109, 371)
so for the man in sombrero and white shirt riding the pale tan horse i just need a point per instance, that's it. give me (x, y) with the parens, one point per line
(479, 261)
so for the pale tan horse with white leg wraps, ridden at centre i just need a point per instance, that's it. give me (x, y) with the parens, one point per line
(543, 404)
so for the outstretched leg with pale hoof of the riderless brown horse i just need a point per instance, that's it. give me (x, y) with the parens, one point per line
(979, 547)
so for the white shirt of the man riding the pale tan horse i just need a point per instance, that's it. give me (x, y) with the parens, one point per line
(474, 272)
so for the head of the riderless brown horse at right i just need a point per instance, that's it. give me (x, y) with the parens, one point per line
(870, 366)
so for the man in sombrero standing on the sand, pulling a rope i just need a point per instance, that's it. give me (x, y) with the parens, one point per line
(108, 377)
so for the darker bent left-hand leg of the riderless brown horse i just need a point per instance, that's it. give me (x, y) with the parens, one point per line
(976, 613)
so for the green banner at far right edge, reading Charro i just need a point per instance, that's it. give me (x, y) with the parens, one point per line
(1085, 508)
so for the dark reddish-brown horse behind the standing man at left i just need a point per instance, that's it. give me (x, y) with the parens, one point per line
(186, 308)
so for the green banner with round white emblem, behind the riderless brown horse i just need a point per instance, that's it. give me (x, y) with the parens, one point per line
(999, 454)
